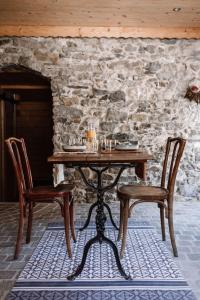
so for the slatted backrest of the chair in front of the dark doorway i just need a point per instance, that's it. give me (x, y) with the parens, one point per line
(18, 153)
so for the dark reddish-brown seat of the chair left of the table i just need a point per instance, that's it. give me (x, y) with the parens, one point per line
(48, 192)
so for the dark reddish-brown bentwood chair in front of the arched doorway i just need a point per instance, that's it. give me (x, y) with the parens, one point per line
(29, 195)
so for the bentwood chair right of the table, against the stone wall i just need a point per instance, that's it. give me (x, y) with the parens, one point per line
(162, 195)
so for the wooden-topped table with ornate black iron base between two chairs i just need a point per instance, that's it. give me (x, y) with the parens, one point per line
(99, 163)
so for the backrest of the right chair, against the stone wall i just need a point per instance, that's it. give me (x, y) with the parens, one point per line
(173, 154)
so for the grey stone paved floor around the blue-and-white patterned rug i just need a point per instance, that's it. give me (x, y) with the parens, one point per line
(187, 226)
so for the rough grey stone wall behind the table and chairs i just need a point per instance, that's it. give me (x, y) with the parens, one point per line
(134, 87)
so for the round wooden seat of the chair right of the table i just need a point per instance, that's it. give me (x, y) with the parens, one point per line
(142, 192)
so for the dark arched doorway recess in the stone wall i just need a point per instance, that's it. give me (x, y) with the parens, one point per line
(26, 111)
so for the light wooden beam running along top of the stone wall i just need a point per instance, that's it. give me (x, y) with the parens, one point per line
(75, 31)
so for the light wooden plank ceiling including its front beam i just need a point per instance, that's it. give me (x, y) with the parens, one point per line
(98, 18)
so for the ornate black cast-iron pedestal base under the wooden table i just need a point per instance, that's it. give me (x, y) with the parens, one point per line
(100, 216)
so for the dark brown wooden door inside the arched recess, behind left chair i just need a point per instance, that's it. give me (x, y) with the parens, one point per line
(34, 124)
